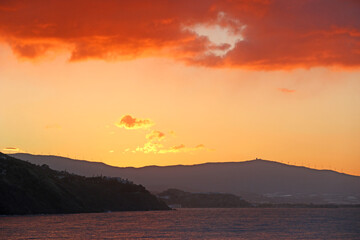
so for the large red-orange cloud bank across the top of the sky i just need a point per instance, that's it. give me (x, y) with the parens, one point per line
(261, 34)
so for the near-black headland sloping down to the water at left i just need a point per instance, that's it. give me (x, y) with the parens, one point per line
(26, 188)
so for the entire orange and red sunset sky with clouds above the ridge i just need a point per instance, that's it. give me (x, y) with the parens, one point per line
(137, 83)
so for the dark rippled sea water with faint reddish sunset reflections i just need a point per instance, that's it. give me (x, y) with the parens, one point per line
(189, 224)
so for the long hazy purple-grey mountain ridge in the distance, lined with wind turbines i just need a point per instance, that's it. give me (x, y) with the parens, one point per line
(255, 180)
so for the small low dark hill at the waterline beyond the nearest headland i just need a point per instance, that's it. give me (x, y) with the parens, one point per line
(175, 197)
